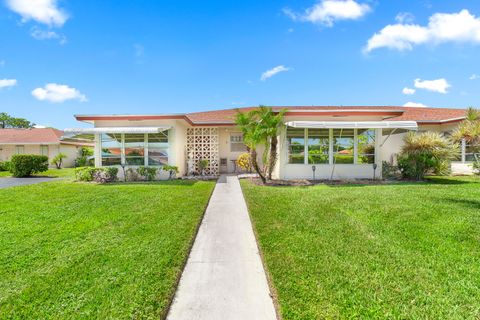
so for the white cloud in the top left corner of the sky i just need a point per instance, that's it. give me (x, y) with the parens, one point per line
(43, 11)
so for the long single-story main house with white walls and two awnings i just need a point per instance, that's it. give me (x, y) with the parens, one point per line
(341, 142)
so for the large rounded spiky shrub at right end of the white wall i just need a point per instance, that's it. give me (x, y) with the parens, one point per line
(426, 153)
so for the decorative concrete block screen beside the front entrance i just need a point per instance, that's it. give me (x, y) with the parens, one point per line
(202, 144)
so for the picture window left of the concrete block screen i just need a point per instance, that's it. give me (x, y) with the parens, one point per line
(134, 149)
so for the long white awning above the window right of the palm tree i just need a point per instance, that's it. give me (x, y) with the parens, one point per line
(406, 125)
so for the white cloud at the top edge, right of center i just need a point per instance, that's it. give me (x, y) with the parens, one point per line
(326, 12)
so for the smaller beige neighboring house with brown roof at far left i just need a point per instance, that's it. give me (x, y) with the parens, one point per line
(41, 141)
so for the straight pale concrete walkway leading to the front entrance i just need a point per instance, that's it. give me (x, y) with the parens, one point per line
(224, 277)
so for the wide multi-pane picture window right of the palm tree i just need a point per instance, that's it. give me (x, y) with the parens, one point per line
(331, 146)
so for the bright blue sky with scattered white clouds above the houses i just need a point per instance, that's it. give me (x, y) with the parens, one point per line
(66, 57)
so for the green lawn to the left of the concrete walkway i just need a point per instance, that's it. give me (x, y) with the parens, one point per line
(85, 251)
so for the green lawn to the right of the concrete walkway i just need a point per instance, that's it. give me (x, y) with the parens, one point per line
(402, 251)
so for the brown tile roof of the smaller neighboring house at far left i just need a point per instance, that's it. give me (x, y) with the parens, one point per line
(30, 136)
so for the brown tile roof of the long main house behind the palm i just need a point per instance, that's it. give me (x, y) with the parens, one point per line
(396, 113)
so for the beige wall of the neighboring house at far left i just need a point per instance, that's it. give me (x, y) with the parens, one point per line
(7, 151)
